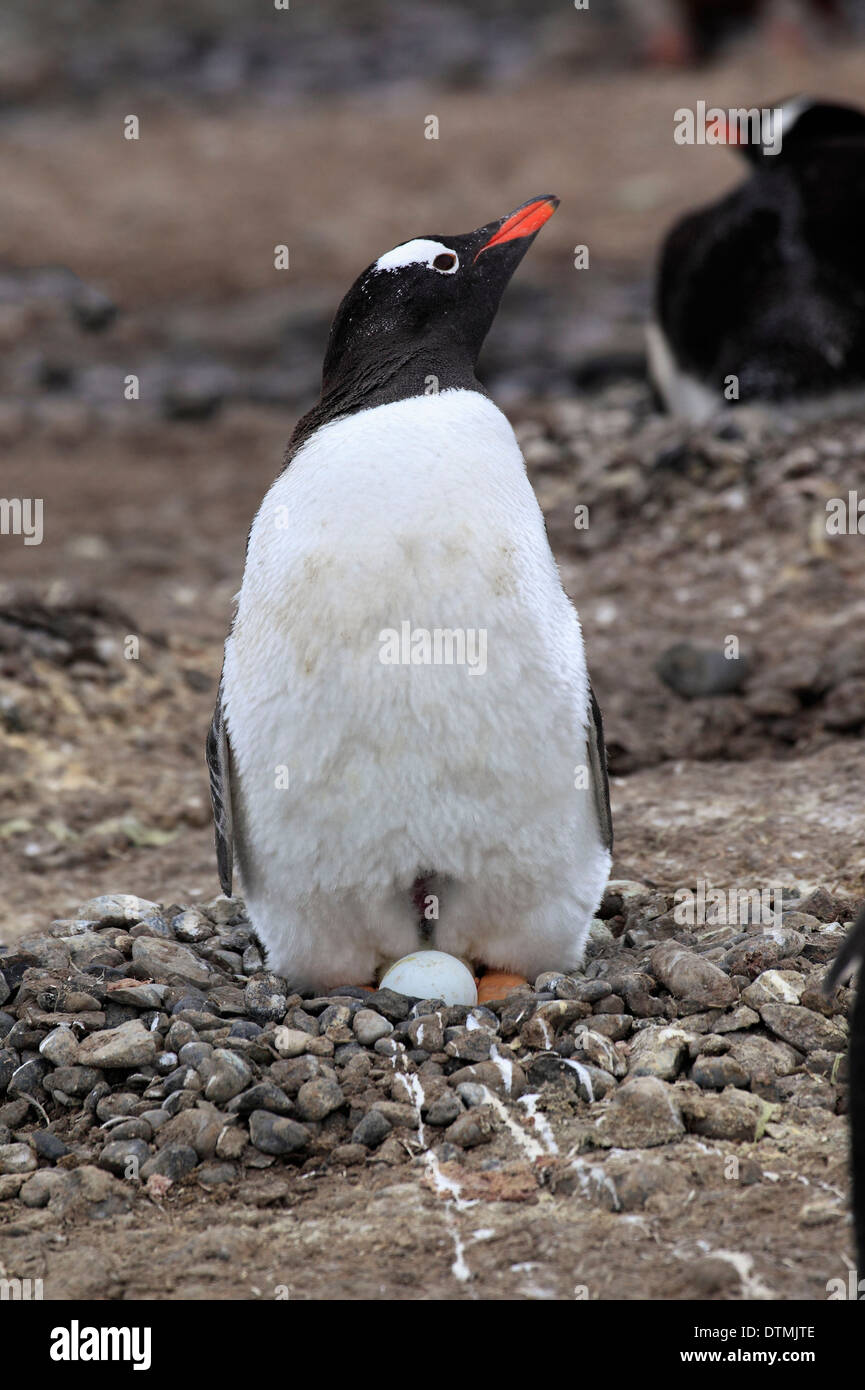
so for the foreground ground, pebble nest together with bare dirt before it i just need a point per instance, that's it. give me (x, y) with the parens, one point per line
(665, 1106)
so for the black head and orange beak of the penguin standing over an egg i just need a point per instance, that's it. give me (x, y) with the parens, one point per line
(435, 297)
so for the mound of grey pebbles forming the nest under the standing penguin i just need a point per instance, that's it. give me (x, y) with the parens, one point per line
(149, 1046)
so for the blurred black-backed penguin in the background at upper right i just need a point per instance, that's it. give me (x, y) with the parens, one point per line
(761, 297)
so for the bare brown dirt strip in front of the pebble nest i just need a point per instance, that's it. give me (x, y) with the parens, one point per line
(387, 1235)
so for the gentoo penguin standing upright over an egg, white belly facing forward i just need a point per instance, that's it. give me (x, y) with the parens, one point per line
(407, 751)
